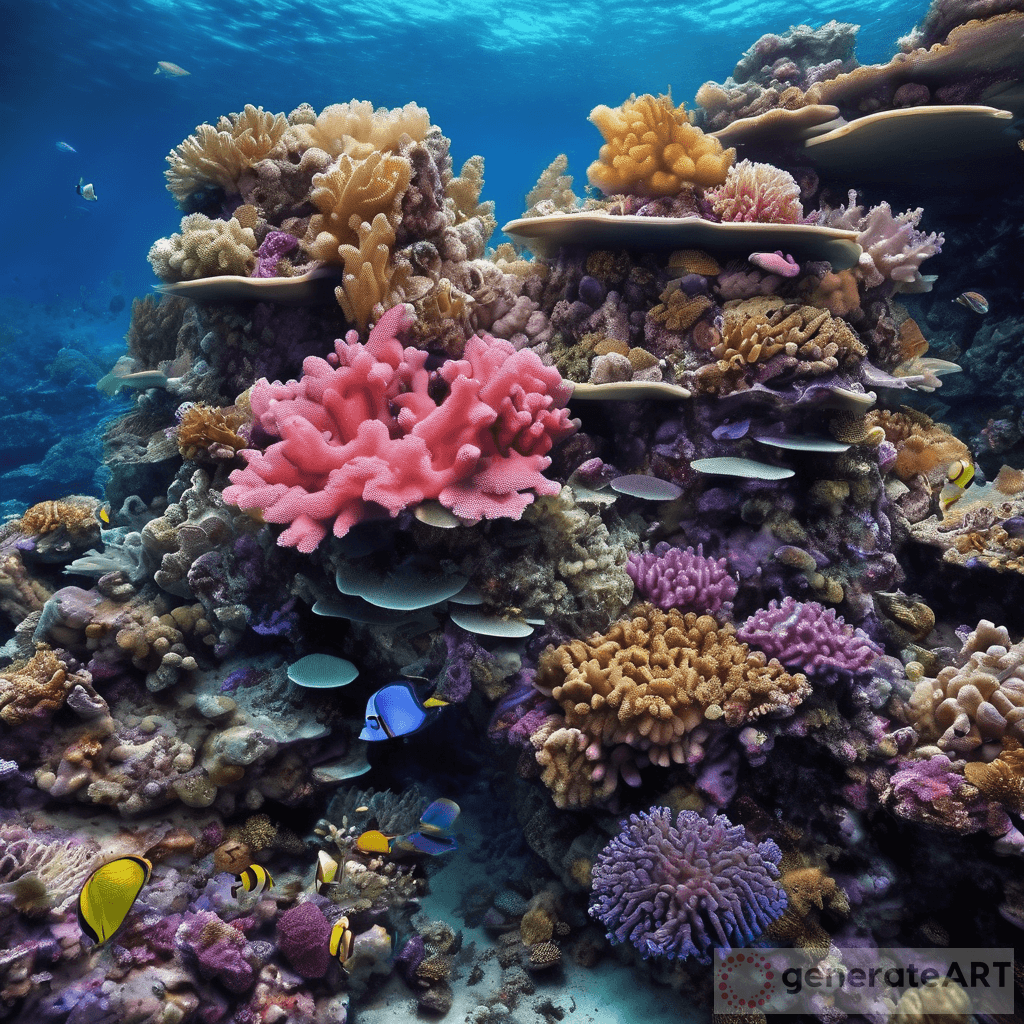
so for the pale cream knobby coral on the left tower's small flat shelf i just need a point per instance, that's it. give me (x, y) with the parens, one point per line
(205, 248)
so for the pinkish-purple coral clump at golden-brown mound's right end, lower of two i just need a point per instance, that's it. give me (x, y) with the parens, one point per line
(810, 638)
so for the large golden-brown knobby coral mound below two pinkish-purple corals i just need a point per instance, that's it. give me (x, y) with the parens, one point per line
(655, 677)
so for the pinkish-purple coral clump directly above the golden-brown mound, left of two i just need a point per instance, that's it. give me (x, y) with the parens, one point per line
(674, 578)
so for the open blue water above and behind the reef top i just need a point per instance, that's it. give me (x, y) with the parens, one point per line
(511, 82)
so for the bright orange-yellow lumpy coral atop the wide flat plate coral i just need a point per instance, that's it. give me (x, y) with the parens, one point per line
(653, 150)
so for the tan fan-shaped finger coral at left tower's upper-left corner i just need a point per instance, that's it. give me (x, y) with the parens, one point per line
(216, 156)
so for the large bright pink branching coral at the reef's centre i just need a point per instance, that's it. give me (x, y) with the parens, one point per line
(362, 436)
